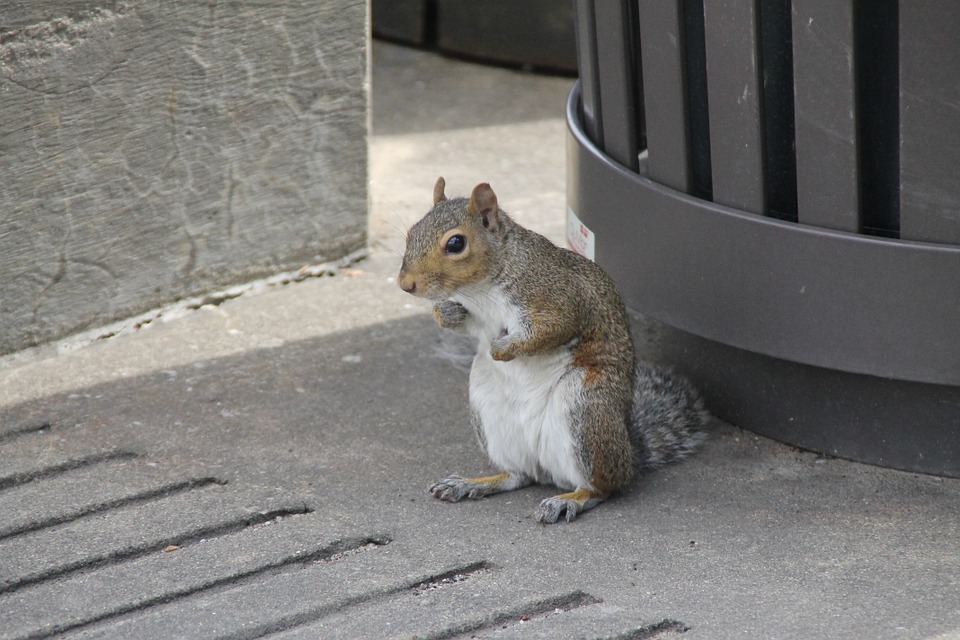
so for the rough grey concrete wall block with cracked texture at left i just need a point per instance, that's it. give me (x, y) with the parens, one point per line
(156, 149)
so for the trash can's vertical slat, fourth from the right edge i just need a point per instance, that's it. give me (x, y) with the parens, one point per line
(664, 93)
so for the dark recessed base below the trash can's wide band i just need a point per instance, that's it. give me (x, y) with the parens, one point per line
(891, 423)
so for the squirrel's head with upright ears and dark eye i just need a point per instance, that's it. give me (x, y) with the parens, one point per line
(453, 245)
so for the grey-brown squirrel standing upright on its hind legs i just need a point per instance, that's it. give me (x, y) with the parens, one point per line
(556, 393)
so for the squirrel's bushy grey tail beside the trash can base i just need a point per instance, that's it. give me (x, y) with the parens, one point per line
(667, 421)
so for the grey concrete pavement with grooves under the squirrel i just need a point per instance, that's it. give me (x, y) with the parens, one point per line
(257, 466)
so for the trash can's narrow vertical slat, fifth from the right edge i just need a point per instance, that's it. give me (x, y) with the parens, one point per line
(618, 75)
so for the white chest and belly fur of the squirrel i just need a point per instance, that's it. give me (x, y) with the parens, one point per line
(524, 405)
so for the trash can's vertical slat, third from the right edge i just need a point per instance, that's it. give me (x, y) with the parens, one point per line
(733, 87)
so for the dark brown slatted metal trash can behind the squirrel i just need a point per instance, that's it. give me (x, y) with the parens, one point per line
(776, 185)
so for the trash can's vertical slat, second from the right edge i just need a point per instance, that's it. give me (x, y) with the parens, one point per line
(825, 104)
